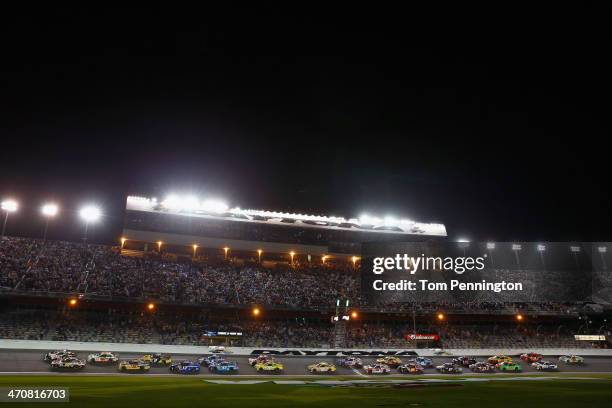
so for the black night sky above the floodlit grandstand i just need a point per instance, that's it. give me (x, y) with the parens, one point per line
(492, 121)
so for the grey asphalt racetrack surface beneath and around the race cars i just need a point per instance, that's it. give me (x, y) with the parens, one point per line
(31, 362)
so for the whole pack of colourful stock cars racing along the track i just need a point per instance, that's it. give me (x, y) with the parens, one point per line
(267, 364)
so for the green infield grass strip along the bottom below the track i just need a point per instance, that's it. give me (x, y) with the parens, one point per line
(149, 392)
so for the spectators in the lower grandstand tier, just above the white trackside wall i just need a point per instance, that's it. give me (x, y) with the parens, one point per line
(179, 329)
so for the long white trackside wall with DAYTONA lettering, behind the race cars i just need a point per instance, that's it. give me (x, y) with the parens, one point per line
(180, 349)
